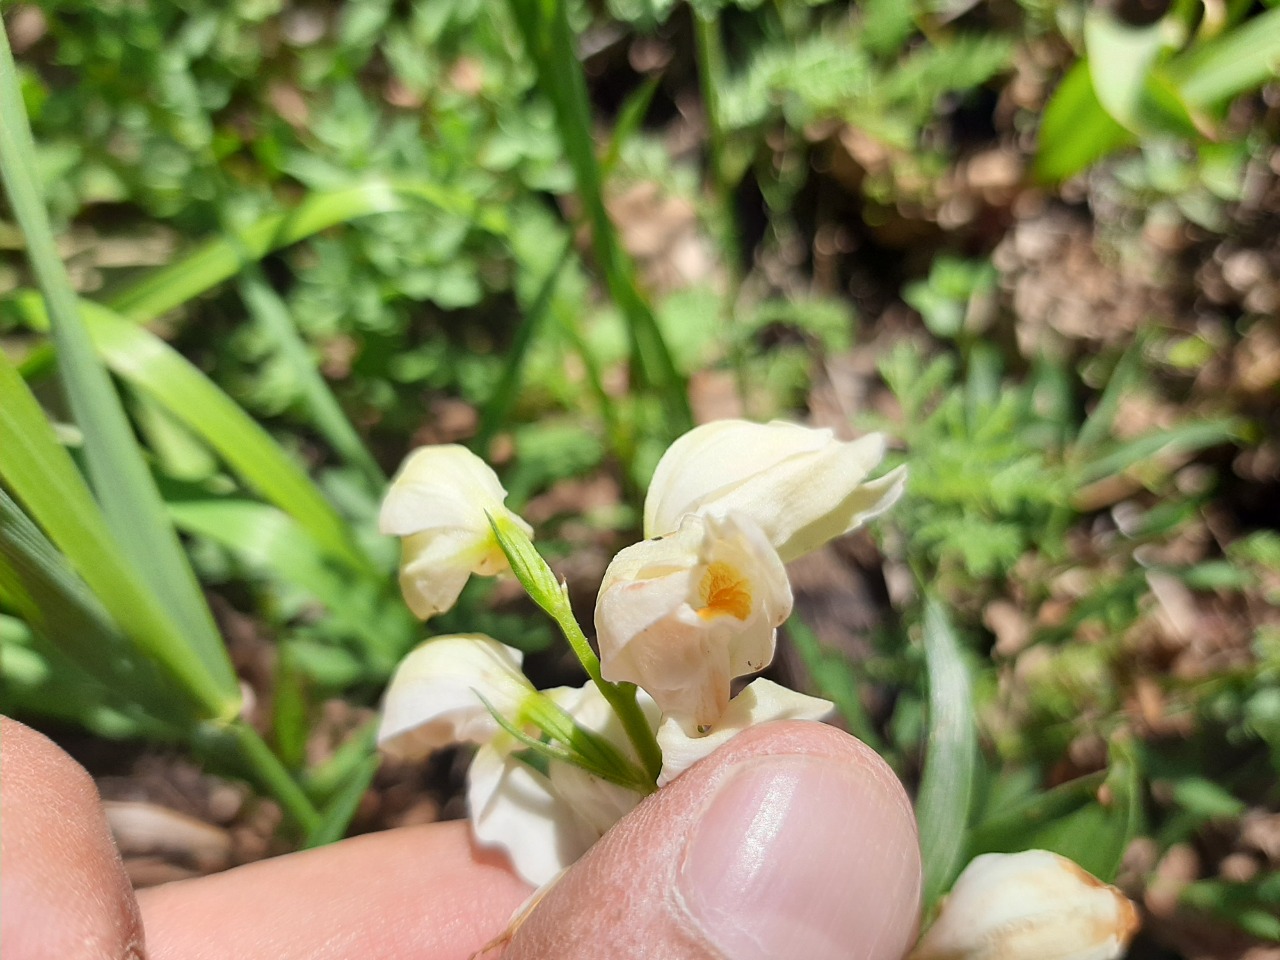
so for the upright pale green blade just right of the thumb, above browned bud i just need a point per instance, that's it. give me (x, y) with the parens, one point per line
(952, 755)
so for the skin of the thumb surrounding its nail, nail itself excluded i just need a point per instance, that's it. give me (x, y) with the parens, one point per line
(620, 900)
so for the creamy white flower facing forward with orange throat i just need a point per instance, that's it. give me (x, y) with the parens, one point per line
(683, 615)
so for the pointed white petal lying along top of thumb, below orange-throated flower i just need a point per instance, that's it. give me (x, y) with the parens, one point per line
(761, 702)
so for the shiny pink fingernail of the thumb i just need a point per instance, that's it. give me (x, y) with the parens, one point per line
(799, 857)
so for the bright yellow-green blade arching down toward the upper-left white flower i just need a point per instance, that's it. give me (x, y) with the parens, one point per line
(161, 373)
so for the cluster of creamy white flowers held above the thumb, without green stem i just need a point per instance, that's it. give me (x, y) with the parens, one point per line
(680, 615)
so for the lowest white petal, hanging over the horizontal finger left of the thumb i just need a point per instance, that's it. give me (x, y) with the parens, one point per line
(514, 808)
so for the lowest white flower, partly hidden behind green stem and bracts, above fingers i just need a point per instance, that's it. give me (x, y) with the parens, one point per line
(547, 822)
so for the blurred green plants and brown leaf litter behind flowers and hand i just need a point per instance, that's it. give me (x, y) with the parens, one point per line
(258, 250)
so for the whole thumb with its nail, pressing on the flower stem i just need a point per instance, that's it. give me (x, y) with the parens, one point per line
(794, 840)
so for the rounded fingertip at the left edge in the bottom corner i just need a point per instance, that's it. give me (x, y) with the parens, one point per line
(63, 889)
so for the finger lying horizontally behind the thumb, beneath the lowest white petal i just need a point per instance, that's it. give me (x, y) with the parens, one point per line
(424, 893)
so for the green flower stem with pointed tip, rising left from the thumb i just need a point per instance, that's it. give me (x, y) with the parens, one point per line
(552, 596)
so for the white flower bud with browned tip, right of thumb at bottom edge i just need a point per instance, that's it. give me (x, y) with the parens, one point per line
(1034, 904)
